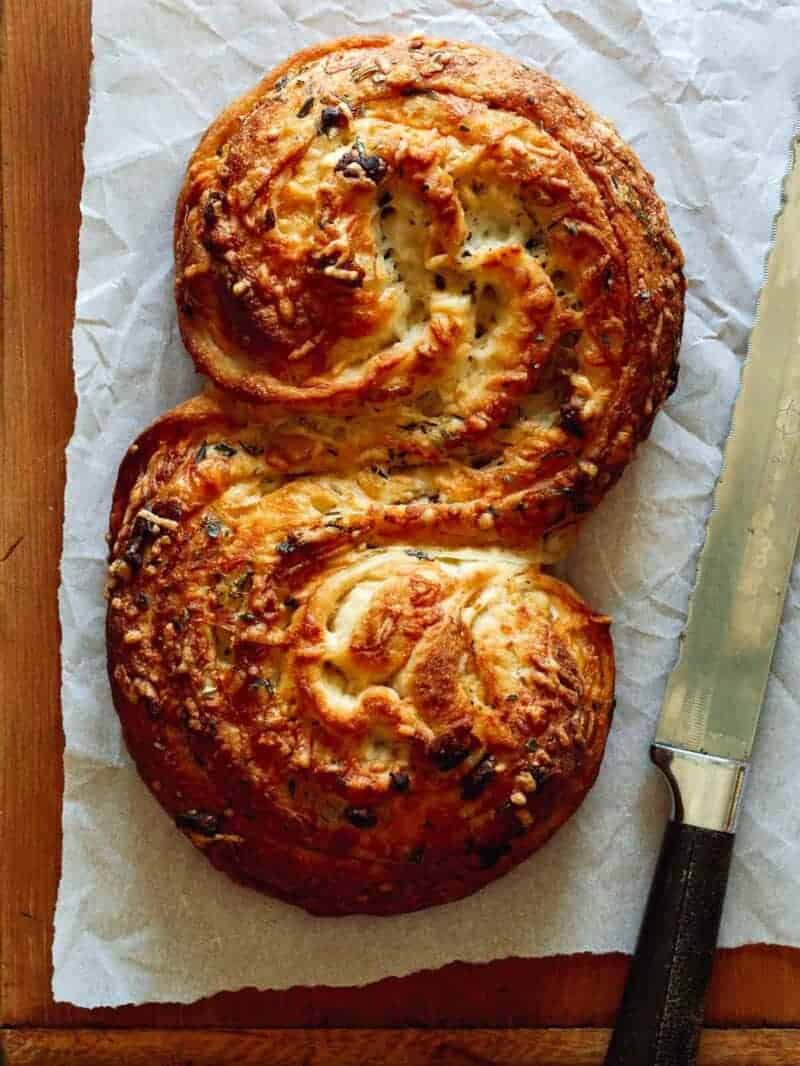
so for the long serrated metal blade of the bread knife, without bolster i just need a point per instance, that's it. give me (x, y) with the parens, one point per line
(715, 693)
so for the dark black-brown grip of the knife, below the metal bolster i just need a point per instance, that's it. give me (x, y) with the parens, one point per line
(662, 1012)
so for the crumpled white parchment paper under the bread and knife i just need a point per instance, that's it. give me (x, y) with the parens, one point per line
(705, 93)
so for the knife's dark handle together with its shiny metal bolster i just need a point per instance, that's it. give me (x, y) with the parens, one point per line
(662, 1012)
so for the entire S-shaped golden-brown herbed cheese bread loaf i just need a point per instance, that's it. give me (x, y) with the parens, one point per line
(439, 303)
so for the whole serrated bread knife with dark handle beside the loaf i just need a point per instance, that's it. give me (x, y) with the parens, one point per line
(714, 697)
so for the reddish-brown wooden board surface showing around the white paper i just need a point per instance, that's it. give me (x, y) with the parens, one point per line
(517, 1011)
